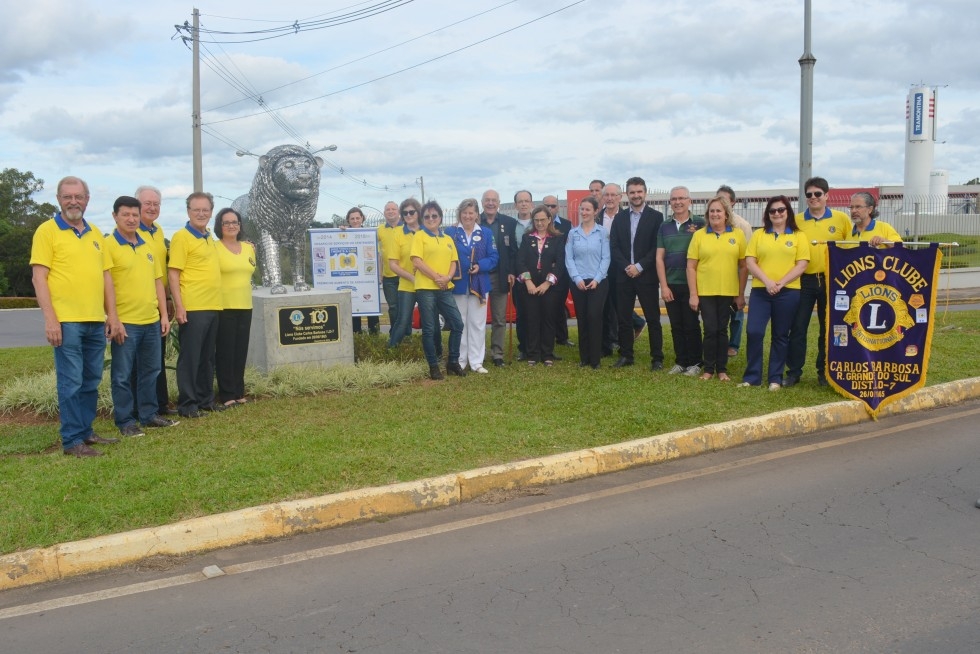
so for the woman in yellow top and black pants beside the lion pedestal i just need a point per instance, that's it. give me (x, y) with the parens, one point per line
(236, 258)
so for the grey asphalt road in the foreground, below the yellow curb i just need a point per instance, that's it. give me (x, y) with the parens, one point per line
(861, 539)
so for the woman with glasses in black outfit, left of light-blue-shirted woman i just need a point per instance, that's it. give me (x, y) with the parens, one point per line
(540, 263)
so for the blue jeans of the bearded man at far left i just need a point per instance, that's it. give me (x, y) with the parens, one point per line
(78, 369)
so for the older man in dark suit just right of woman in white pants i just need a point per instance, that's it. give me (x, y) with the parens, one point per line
(502, 279)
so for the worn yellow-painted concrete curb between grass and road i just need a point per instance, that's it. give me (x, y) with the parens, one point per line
(285, 519)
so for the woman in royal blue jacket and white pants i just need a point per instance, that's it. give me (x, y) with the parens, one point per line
(477, 255)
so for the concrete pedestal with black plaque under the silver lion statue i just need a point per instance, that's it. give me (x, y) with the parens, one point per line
(312, 327)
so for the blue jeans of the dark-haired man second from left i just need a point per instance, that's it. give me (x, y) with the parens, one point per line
(141, 350)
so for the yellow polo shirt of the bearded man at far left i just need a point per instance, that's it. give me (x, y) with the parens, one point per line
(75, 263)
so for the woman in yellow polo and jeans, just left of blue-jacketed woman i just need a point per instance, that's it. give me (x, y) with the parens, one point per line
(436, 265)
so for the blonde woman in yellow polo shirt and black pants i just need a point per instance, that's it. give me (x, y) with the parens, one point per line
(716, 276)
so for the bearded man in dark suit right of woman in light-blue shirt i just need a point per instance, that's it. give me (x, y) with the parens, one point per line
(633, 244)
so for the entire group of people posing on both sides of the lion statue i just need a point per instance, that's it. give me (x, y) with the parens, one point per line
(92, 287)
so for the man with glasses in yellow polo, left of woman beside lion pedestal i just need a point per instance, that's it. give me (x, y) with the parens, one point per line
(195, 285)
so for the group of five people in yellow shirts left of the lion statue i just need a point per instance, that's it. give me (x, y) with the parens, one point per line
(92, 287)
